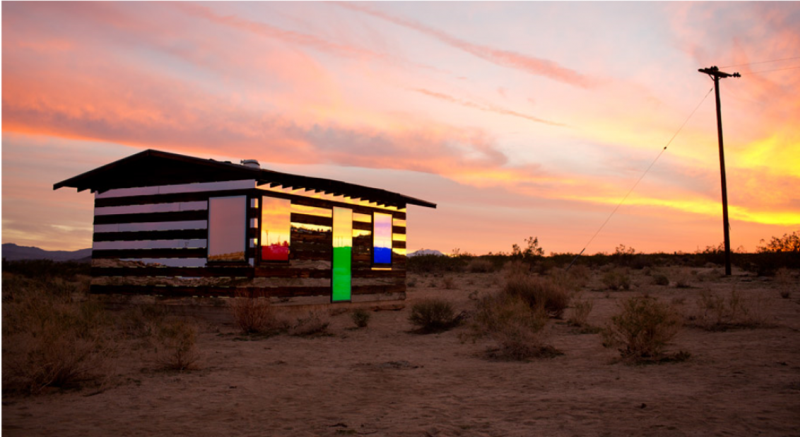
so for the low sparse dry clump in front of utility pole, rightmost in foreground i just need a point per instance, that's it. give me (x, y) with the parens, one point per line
(718, 313)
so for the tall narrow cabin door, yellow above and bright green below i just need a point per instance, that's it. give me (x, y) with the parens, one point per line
(342, 253)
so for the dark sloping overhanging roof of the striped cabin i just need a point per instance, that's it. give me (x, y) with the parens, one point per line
(155, 167)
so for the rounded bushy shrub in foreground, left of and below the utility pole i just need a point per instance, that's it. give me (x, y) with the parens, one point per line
(643, 327)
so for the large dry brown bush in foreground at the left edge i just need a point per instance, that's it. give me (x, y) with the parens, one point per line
(51, 340)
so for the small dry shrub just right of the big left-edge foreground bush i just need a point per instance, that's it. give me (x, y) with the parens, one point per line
(176, 348)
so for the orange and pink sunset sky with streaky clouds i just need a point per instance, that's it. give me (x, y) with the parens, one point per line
(517, 119)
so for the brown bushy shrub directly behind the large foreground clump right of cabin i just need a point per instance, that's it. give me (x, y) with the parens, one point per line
(539, 292)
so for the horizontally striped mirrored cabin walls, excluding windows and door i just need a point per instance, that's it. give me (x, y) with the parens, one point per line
(153, 240)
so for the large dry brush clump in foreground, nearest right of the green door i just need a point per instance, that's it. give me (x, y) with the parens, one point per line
(513, 325)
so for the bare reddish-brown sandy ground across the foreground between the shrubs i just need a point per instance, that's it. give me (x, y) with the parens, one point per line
(383, 380)
